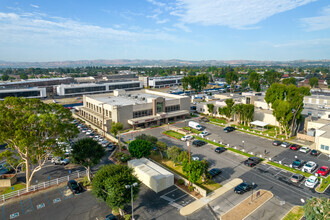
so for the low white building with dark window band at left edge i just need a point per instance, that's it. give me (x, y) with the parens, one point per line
(33, 92)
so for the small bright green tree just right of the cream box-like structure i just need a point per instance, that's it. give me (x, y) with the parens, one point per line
(193, 170)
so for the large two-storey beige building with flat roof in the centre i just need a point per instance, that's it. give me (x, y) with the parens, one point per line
(142, 108)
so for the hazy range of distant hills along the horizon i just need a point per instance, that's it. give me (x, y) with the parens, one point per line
(165, 63)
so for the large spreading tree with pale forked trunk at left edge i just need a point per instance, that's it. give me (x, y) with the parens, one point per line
(33, 129)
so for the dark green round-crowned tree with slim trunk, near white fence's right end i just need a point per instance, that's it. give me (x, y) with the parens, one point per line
(87, 153)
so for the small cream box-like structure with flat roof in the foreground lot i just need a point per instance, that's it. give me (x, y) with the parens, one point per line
(151, 174)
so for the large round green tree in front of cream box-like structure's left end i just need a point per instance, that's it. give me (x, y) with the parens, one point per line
(109, 185)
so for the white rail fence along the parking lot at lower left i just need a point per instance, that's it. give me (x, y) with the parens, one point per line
(43, 185)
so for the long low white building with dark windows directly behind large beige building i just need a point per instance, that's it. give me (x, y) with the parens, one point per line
(88, 88)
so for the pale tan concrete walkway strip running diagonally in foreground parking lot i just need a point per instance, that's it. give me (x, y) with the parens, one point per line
(198, 204)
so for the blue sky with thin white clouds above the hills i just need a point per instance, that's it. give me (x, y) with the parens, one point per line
(278, 30)
